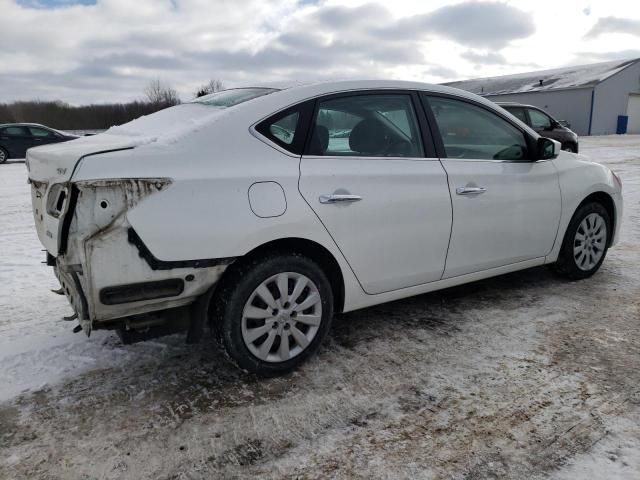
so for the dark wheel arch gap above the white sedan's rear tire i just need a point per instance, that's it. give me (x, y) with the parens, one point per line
(308, 248)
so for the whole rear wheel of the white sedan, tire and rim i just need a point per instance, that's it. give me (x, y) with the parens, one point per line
(249, 311)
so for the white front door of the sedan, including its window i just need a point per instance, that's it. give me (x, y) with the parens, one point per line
(506, 207)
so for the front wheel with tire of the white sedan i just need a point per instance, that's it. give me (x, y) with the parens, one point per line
(585, 244)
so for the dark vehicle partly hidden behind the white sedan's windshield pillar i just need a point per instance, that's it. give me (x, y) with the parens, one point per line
(544, 124)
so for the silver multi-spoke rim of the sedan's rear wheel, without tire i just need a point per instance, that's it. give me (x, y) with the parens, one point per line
(281, 317)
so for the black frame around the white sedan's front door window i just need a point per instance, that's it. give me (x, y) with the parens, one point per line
(437, 136)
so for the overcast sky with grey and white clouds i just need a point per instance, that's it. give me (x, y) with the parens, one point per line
(82, 51)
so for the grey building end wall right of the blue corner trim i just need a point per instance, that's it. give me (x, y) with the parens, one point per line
(612, 97)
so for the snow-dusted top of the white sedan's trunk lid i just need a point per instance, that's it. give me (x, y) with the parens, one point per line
(56, 162)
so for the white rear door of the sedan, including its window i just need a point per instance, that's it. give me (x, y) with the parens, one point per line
(383, 200)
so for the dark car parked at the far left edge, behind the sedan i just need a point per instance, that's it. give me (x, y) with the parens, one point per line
(16, 138)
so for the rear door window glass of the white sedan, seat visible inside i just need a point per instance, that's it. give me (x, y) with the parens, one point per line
(376, 125)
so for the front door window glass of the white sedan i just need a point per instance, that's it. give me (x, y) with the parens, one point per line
(471, 132)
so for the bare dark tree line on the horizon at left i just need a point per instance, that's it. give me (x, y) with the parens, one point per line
(63, 116)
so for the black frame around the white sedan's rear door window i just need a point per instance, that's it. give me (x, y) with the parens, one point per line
(428, 147)
